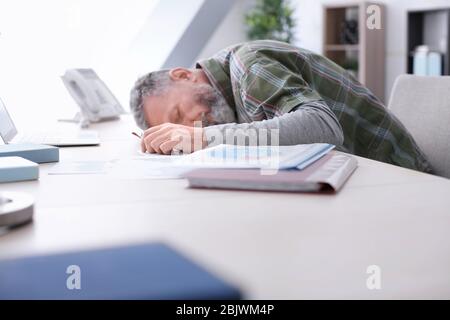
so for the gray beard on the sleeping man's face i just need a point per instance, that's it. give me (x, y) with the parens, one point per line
(220, 112)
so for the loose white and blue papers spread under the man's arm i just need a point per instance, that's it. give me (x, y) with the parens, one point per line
(155, 166)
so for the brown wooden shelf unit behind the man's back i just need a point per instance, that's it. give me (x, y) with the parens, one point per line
(368, 53)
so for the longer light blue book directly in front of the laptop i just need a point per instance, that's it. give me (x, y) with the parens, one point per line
(38, 153)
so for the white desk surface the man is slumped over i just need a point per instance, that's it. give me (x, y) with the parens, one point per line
(272, 245)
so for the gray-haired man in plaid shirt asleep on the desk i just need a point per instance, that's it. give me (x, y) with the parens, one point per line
(268, 86)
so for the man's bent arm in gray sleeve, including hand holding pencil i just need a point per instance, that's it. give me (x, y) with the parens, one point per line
(311, 123)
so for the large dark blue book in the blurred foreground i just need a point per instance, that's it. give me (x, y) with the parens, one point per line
(149, 271)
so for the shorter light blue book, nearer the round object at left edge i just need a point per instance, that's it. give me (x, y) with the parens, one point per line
(17, 169)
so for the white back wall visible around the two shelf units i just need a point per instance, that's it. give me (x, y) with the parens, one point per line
(310, 26)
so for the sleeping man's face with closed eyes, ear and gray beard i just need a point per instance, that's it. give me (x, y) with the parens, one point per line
(184, 103)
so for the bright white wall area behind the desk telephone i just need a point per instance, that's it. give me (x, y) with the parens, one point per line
(120, 39)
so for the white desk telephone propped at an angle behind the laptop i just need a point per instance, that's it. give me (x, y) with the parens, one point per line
(96, 101)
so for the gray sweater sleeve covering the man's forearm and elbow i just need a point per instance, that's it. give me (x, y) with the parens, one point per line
(310, 123)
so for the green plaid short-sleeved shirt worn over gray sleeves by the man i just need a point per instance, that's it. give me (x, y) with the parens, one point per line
(265, 79)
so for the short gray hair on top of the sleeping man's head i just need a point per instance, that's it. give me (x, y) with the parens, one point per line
(151, 84)
